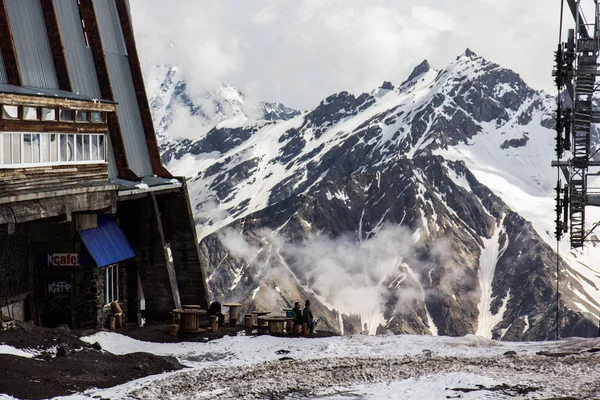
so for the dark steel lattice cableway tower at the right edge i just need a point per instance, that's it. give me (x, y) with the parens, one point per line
(577, 119)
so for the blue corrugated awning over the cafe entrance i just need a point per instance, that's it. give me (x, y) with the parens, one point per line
(107, 243)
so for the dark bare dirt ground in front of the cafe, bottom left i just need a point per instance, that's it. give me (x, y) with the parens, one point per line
(48, 375)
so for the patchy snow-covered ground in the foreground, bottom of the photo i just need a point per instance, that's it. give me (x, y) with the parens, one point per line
(383, 367)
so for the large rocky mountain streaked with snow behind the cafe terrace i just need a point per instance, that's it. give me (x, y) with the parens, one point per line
(424, 208)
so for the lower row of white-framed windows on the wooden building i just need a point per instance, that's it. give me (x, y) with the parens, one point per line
(17, 149)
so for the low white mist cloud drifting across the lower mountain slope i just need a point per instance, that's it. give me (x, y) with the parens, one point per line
(353, 276)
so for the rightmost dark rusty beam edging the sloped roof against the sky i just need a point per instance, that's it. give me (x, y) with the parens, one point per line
(140, 91)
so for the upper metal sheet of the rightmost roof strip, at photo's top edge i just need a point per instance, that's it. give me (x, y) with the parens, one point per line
(110, 27)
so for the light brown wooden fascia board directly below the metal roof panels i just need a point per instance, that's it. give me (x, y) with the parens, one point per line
(54, 102)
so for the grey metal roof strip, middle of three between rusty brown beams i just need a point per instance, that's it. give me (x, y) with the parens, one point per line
(80, 60)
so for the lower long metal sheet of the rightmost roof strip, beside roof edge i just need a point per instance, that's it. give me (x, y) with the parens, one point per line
(130, 119)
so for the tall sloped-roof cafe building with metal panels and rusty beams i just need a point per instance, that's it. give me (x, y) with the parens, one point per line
(88, 214)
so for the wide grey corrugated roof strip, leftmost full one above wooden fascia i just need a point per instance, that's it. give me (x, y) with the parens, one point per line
(31, 43)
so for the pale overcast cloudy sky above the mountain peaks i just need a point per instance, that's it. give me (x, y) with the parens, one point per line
(300, 51)
